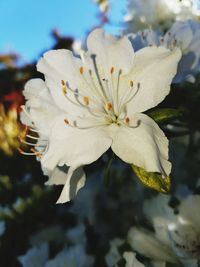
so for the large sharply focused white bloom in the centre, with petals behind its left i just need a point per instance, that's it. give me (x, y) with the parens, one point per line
(90, 104)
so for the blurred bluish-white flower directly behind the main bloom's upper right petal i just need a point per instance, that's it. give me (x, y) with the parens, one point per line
(186, 36)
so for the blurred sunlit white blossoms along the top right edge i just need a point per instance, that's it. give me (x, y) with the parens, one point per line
(159, 14)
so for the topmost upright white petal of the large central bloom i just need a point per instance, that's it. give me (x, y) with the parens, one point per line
(110, 51)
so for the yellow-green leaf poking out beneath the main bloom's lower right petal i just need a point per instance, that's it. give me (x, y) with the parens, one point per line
(152, 179)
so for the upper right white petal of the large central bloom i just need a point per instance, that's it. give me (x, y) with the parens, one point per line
(154, 69)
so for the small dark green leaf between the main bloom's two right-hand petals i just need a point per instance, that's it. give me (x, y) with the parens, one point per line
(165, 114)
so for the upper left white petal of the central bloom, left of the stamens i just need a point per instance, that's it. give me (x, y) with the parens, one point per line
(58, 65)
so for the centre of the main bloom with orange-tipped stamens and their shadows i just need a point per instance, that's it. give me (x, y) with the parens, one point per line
(101, 94)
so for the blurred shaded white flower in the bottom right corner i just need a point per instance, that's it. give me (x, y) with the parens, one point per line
(177, 236)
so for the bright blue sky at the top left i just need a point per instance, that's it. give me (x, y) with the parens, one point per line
(26, 24)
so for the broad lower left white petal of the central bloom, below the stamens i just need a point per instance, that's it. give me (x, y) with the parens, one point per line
(73, 146)
